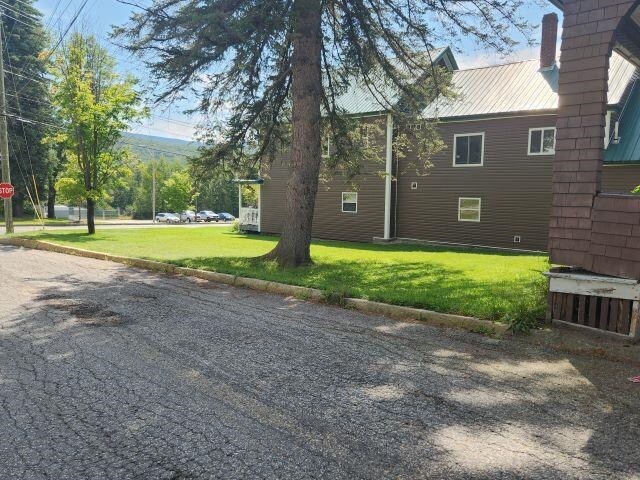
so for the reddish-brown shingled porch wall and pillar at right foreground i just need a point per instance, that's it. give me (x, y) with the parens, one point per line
(589, 229)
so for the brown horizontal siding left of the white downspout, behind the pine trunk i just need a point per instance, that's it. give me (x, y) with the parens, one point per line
(329, 221)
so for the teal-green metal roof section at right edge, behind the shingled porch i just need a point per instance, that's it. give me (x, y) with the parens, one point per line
(628, 148)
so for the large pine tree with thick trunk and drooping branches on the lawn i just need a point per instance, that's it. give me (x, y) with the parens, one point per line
(272, 69)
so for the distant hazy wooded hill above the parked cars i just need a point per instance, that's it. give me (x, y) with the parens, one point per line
(149, 147)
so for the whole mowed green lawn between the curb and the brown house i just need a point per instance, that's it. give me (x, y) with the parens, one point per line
(487, 284)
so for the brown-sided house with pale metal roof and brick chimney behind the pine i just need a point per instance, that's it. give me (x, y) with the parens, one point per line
(492, 184)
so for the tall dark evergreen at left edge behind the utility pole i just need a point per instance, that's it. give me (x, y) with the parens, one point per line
(27, 98)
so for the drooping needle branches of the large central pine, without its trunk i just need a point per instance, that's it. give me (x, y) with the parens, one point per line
(241, 64)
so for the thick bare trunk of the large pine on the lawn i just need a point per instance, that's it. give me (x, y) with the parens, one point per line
(293, 249)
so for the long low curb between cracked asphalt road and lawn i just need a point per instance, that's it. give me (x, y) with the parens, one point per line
(366, 306)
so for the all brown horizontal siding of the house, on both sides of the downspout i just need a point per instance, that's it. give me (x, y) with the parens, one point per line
(515, 189)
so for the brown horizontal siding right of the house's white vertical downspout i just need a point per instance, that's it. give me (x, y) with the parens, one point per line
(515, 189)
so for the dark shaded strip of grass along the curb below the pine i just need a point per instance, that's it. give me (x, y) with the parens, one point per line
(428, 285)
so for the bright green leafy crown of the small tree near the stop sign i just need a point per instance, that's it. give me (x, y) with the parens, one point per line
(94, 105)
